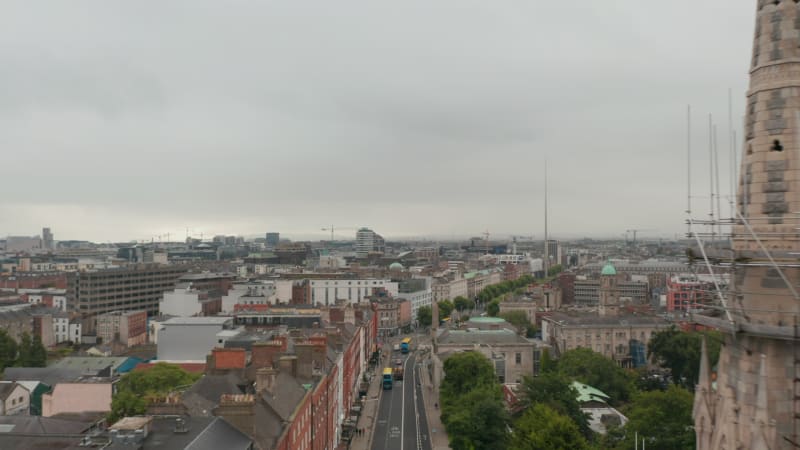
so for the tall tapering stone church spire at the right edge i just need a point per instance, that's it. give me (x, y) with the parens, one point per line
(753, 404)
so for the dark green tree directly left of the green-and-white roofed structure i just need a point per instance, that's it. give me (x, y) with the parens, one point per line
(556, 392)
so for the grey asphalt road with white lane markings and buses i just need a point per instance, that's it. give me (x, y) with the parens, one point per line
(401, 422)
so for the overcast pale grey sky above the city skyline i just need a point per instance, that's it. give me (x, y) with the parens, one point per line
(126, 120)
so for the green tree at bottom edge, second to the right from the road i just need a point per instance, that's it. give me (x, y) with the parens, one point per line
(542, 428)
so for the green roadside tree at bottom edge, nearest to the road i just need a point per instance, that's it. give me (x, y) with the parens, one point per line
(477, 420)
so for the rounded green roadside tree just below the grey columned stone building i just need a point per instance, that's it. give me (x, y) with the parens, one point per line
(466, 371)
